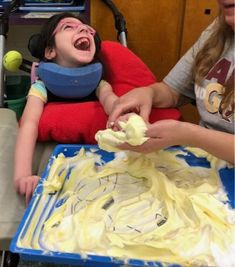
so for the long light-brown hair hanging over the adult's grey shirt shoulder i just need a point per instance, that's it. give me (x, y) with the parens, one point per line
(212, 49)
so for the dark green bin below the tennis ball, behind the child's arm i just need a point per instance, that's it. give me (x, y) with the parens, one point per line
(16, 91)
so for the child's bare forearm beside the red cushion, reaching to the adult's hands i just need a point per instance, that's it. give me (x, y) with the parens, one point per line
(106, 96)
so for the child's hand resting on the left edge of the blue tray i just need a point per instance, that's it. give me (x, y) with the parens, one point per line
(26, 185)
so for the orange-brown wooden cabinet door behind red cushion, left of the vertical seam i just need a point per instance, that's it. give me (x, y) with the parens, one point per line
(154, 29)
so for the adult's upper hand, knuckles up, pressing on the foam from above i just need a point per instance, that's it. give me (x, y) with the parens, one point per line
(138, 100)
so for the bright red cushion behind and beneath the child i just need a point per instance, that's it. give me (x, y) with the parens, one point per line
(79, 122)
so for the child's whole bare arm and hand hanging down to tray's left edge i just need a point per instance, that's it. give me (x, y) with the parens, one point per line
(24, 181)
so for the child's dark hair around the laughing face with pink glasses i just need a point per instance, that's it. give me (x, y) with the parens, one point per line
(38, 42)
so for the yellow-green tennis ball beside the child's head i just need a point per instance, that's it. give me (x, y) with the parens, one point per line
(12, 60)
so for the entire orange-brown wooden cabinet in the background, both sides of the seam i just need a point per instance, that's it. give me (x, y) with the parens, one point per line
(159, 31)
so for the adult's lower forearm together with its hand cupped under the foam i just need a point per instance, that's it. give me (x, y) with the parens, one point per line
(167, 133)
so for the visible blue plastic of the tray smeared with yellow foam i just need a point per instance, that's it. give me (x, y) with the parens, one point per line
(227, 176)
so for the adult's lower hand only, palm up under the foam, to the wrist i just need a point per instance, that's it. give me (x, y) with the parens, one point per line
(162, 134)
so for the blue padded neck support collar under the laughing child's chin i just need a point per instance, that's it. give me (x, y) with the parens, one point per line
(70, 82)
